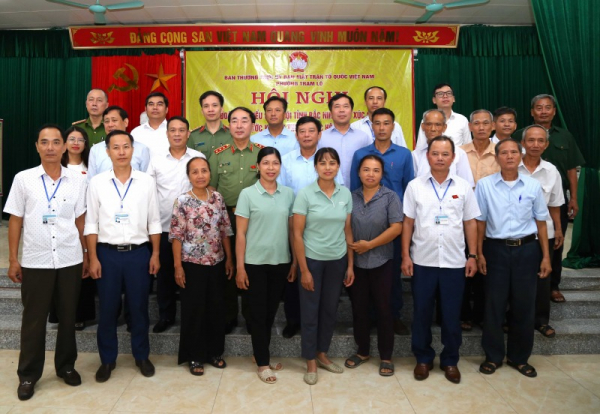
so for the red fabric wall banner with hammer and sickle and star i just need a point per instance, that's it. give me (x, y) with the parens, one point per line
(129, 79)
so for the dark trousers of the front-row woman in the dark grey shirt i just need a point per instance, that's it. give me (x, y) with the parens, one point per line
(372, 287)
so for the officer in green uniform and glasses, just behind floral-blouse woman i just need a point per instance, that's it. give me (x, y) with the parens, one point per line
(233, 168)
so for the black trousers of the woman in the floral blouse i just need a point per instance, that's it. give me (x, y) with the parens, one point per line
(202, 332)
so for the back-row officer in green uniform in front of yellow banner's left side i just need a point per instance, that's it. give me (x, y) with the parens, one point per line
(213, 134)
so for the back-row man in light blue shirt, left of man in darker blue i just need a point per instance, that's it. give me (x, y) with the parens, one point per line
(341, 136)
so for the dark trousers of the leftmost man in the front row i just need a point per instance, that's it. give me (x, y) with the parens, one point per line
(40, 289)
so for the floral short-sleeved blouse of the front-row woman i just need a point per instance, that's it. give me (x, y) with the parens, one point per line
(200, 227)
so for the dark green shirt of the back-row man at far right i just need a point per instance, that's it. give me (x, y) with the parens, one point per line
(563, 152)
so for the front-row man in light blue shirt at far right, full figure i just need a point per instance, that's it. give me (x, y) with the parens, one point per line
(513, 222)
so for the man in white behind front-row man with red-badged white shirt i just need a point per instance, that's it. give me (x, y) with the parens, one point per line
(434, 125)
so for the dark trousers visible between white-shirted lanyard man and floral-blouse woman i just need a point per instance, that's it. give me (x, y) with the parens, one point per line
(166, 288)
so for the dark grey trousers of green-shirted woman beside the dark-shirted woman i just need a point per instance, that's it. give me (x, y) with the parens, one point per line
(318, 309)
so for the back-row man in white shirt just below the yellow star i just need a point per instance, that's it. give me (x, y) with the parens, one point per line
(153, 133)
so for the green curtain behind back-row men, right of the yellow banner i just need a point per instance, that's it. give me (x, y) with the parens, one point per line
(491, 67)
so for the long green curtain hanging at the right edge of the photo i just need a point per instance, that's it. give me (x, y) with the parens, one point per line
(569, 33)
